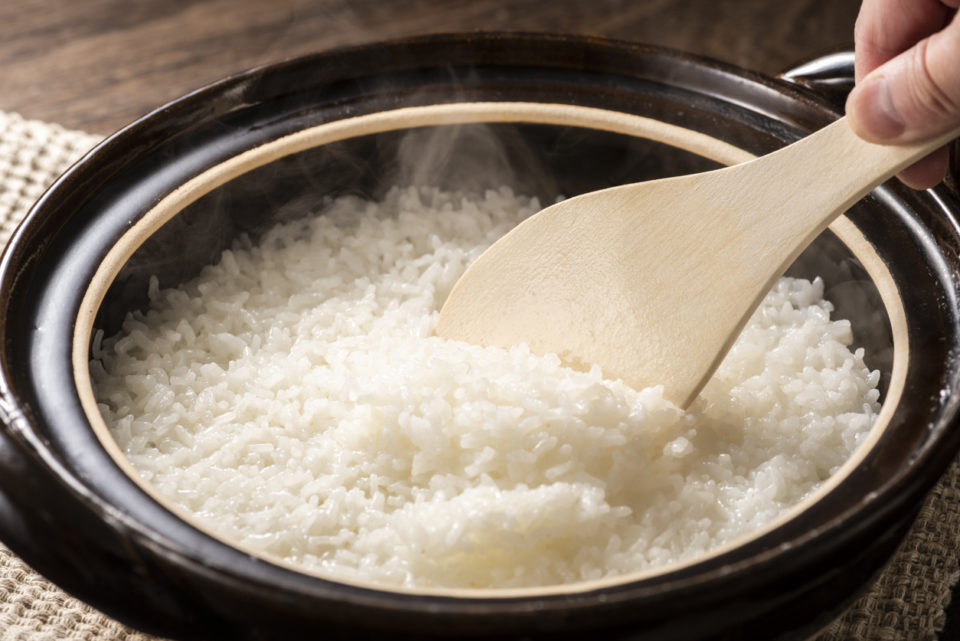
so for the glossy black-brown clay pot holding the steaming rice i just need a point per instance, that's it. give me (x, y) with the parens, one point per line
(167, 194)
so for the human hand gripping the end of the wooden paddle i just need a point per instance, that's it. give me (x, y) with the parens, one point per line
(907, 67)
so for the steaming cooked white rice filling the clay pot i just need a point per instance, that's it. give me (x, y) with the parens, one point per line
(293, 399)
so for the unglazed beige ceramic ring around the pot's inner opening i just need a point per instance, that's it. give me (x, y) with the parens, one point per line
(455, 114)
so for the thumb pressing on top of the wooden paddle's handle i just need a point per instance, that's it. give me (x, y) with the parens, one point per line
(912, 97)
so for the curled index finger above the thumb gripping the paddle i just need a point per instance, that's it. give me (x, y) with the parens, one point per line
(886, 28)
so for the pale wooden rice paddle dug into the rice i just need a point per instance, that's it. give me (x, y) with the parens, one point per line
(654, 281)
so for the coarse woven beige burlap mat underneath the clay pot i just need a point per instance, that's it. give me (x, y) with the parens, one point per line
(907, 602)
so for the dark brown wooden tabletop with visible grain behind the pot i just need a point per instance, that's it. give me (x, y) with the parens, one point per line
(98, 64)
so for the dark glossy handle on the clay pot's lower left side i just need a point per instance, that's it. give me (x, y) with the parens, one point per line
(100, 561)
